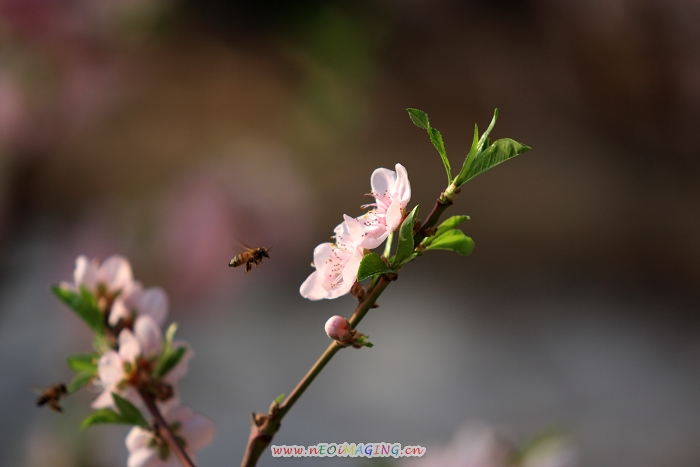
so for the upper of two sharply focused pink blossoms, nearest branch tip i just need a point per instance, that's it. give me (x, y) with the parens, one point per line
(392, 192)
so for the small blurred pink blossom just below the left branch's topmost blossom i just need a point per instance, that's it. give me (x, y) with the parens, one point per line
(137, 301)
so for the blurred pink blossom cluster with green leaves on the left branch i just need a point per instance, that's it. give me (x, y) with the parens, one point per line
(135, 365)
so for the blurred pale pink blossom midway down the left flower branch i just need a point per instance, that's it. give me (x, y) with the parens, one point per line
(119, 370)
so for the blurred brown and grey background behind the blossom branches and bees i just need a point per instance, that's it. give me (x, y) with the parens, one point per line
(163, 130)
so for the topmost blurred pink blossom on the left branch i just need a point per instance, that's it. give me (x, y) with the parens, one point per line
(111, 277)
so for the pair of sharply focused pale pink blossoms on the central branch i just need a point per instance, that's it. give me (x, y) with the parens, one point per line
(337, 263)
